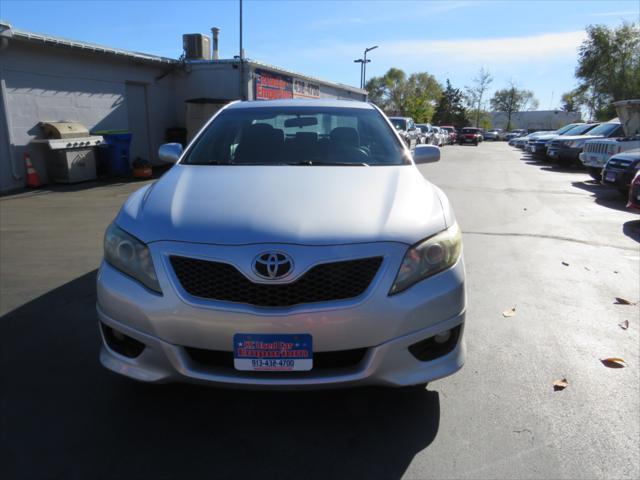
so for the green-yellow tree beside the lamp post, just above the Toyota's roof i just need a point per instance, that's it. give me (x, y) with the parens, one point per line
(396, 94)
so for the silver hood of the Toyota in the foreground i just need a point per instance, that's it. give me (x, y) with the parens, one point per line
(233, 205)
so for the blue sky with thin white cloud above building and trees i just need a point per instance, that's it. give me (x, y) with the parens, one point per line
(532, 43)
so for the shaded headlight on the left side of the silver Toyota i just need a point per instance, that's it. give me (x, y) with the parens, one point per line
(130, 256)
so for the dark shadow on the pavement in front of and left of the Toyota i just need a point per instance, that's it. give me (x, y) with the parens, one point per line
(63, 416)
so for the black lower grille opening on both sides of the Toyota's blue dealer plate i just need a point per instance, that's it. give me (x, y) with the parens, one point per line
(321, 360)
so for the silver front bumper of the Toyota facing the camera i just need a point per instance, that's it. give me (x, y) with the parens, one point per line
(172, 324)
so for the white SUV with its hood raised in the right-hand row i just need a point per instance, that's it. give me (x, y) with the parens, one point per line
(596, 152)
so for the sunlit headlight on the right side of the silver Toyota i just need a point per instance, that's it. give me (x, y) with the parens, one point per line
(428, 257)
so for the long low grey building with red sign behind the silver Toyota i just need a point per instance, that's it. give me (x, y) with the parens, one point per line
(46, 79)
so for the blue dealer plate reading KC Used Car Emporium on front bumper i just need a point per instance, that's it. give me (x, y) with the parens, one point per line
(273, 353)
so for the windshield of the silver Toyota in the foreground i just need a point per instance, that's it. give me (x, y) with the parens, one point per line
(297, 136)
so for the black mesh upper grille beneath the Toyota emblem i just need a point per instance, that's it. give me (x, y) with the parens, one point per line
(322, 283)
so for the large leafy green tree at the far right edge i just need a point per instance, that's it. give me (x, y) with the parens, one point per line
(608, 68)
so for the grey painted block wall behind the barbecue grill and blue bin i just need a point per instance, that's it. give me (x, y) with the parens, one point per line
(46, 83)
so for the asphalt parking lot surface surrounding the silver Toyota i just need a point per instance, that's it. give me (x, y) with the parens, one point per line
(549, 242)
